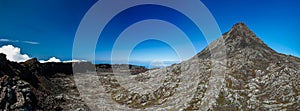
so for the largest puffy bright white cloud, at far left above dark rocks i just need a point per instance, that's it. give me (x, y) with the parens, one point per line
(13, 53)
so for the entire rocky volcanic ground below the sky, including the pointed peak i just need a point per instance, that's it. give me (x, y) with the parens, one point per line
(238, 71)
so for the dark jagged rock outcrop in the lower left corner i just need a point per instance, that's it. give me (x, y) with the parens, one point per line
(15, 93)
